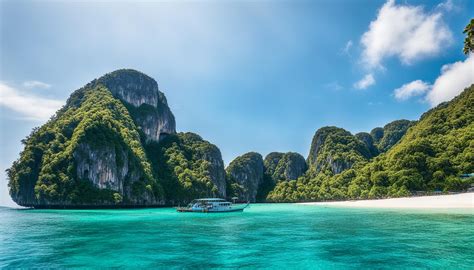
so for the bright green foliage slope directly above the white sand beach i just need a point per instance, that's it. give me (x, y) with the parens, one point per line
(430, 156)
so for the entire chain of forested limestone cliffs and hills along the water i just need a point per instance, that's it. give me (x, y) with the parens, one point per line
(114, 144)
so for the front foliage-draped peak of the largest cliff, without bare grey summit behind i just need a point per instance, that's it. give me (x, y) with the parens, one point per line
(89, 154)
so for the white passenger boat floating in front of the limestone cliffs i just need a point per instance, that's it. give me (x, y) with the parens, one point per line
(212, 205)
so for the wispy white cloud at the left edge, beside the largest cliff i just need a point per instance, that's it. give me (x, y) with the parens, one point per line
(29, 106)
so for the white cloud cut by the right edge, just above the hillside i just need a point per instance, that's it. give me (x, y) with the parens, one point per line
(452, 81)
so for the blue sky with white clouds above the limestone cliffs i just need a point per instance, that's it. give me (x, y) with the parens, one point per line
(245, 75)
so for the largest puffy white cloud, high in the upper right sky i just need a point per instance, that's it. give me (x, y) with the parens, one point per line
(404, 31)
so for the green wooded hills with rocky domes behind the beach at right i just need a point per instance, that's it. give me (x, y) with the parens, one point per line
(431, 155)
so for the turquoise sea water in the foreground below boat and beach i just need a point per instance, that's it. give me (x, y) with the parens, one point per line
(284, 236)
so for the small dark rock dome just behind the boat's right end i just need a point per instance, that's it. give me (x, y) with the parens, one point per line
(245, 174)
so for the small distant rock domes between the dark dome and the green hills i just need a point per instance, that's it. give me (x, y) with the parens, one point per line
(284, 166)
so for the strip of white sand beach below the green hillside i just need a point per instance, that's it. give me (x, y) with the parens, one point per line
(464, 200)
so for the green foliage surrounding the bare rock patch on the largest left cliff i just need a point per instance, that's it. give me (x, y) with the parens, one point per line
(46, 169)
